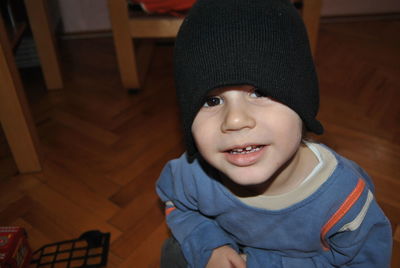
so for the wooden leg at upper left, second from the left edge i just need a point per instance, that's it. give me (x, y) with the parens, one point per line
(45, 42)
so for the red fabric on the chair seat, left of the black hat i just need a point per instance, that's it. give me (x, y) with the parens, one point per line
(174, 7)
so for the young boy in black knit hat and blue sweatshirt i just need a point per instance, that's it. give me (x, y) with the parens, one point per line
(249, 191)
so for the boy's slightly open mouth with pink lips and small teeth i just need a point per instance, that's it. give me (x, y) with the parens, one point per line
(243, 156)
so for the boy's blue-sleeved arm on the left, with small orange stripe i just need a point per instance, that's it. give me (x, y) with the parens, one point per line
(197, 234)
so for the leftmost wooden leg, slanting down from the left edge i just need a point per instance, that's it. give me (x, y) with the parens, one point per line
(15, 116)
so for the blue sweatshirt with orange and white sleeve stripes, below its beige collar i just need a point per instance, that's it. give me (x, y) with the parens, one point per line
(339, 224)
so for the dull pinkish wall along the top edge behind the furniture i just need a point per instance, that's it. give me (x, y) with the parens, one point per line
(92, 15)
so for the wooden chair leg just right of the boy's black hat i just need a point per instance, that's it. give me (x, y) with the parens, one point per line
(311, 14)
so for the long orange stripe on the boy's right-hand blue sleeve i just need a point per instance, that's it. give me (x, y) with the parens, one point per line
(343, 209)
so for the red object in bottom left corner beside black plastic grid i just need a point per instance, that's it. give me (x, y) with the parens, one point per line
(14, 248)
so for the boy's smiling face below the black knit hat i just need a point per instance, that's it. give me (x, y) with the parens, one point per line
(246, 136)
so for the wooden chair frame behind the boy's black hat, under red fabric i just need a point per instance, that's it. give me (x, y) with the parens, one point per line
(128, 26)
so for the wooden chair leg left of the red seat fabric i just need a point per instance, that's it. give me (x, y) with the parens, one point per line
(124, 46)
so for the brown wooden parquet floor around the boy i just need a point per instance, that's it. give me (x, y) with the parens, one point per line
(103, 149)
